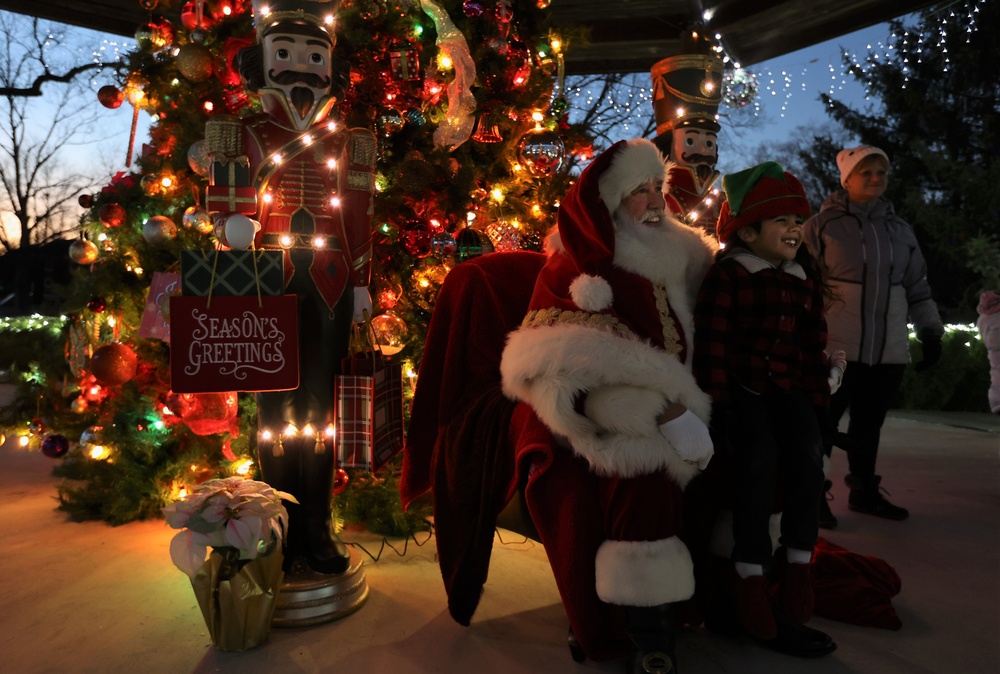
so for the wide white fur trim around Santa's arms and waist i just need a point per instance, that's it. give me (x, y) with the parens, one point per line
(550, 366)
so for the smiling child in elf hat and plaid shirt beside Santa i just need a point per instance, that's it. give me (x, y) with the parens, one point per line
(759, 341)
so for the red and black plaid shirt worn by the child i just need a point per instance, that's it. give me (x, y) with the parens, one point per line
(759, 329)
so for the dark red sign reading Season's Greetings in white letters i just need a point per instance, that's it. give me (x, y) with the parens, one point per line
(233, 344)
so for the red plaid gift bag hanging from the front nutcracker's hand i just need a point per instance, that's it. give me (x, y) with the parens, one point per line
(369, 417)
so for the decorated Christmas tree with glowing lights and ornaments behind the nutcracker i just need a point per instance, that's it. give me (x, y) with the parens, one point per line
(474, 152)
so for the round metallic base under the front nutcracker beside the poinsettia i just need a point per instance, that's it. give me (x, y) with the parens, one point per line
(308, 598)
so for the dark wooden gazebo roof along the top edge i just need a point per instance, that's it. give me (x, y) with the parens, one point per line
(625, 35)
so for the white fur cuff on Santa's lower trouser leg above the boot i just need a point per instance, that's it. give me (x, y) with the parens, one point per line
(644, 573)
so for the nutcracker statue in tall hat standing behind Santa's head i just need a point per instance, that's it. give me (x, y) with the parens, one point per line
(687, 90)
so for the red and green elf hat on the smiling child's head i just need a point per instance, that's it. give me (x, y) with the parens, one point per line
(757, 193)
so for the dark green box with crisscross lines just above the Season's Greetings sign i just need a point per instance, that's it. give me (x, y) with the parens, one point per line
(232, 272)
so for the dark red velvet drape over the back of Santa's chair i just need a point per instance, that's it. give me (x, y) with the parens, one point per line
(459, 425)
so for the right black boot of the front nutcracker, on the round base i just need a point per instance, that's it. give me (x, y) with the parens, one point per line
(326, 553)
